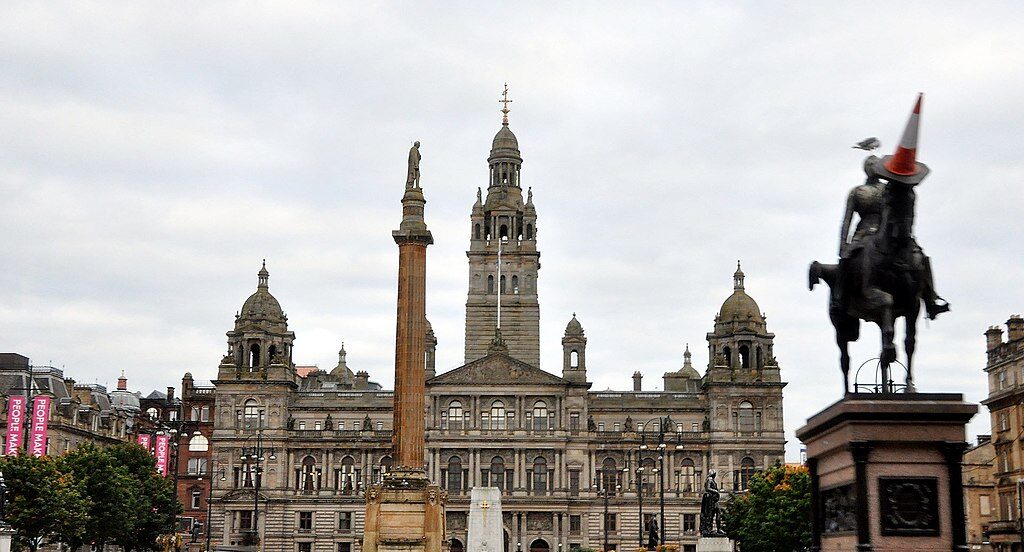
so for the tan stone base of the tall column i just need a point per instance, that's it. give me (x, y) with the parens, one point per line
(405, 515)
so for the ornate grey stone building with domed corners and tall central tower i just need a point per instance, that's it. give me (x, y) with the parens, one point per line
(292, 453)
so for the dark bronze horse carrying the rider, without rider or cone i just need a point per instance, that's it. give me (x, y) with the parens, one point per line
(880, 282)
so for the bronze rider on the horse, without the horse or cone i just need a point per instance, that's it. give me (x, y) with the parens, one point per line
(868, 201)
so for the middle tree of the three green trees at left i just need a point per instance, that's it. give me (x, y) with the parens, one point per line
(113, 494)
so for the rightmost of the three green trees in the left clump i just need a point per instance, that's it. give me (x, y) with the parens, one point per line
(158, 503)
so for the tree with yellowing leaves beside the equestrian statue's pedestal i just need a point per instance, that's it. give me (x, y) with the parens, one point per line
(776, 514)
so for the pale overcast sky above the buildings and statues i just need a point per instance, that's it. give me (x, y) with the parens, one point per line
(153, 155)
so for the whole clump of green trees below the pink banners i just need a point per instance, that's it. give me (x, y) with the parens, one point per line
(91, 495)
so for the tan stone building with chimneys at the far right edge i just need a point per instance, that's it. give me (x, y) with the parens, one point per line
(1005, 368)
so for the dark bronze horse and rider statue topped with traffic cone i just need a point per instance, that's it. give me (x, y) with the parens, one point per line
(882, 274)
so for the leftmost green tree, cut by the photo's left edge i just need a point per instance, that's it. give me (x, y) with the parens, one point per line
(42, 502)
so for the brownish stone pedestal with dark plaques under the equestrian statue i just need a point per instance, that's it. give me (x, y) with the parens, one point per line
(886, 473)
